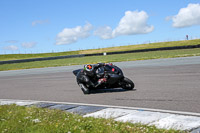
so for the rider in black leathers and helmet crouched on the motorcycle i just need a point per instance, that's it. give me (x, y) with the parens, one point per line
(91, 76)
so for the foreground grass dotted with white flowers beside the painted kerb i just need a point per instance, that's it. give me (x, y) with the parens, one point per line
(20, 119)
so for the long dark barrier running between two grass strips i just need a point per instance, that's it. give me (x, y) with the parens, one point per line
(99, 54)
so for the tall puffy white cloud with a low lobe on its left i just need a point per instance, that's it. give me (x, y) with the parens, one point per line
(132, 23)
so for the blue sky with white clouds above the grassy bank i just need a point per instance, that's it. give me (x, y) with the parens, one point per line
(41, 26)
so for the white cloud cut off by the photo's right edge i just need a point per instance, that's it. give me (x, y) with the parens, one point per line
(188, 16)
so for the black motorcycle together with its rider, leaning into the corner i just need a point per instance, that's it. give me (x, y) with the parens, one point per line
(101, 75)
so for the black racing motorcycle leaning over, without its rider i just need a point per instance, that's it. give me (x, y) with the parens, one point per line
(113, 74)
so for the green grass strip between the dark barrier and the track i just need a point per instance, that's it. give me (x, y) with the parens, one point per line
(108, 58)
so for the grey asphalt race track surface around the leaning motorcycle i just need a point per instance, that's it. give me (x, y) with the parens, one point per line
(168, 84)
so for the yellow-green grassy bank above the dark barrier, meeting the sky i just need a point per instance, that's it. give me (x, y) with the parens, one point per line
(111, 49)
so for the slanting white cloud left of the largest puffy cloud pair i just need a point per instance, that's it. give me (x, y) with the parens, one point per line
(72, 35)
